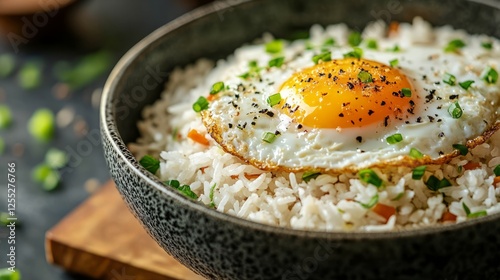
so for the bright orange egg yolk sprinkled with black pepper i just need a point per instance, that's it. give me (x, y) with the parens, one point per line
(347, 93)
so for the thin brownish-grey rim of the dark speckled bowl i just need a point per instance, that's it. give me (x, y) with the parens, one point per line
(105, 115)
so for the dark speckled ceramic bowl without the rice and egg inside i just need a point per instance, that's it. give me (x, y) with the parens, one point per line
(220, 246)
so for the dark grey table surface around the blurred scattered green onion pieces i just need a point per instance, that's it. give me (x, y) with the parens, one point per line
(88, 26)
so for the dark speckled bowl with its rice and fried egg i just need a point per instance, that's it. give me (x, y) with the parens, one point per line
(231, 173)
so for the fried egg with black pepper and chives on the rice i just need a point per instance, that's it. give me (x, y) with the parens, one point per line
(336, 108)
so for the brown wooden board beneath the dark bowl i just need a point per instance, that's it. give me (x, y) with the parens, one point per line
(103, 240)
